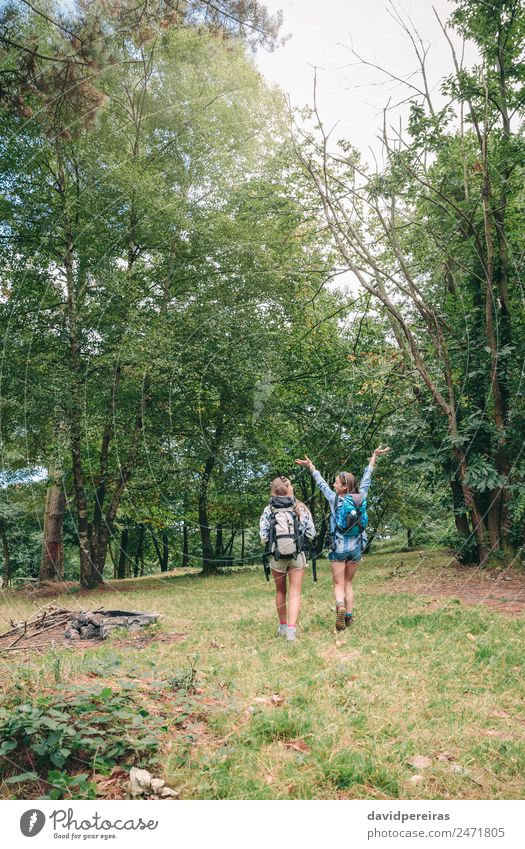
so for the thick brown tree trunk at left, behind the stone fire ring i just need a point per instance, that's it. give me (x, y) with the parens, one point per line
(52, 560)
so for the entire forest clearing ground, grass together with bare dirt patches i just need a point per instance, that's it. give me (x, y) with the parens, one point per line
(422, 698)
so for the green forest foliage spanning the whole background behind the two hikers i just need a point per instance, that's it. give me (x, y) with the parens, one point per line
(187, 345)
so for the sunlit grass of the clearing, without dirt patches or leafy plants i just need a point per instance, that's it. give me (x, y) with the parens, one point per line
(443, 681)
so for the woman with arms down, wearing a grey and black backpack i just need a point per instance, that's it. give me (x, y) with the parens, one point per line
(284, 526)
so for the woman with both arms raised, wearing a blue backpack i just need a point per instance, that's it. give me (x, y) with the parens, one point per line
(348, 520)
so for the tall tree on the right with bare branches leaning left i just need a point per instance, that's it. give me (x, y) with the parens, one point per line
(430, 236)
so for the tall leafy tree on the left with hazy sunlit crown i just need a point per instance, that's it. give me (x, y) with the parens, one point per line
(124, 246)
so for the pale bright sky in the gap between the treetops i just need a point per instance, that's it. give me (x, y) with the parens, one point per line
(323, 33)
